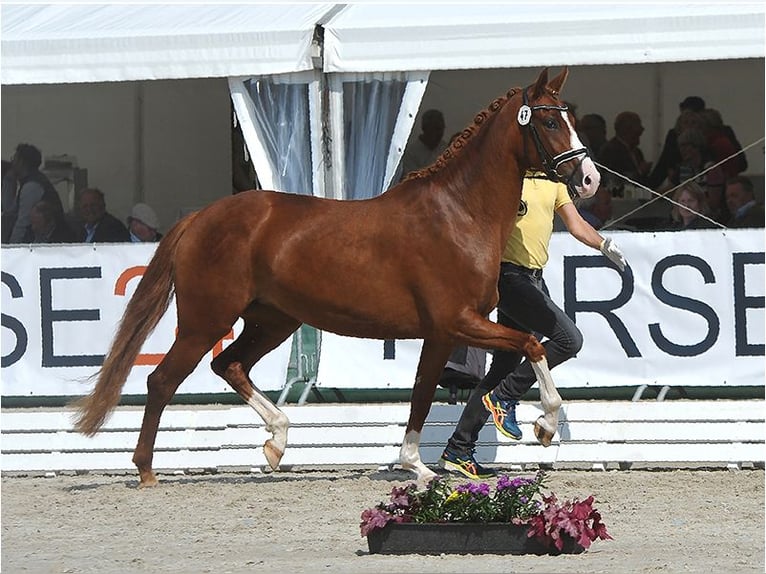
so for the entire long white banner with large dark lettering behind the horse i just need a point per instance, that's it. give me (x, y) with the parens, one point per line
(689, 310)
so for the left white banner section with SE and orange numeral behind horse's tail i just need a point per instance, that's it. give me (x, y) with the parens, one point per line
(60, 309)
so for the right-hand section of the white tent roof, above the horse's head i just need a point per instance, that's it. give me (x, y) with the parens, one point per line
(379, 37)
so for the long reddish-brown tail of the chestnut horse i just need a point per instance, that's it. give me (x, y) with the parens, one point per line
(145, 309)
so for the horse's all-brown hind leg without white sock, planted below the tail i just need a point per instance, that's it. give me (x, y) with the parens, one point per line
(162, 384)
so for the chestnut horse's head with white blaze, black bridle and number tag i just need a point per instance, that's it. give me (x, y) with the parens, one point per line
(545, 121)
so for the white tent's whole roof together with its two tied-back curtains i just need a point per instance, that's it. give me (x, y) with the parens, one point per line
(317, 55)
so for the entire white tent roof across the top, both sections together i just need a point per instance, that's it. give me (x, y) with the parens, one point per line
(58, 43)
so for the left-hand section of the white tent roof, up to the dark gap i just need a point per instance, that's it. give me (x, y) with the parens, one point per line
(118, 42)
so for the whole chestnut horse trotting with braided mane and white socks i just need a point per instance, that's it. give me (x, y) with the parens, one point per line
(420, 261)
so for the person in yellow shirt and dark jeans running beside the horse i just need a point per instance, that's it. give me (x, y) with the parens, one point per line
(524, 305)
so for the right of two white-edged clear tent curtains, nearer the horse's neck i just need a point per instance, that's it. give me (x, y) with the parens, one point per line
(372, 114)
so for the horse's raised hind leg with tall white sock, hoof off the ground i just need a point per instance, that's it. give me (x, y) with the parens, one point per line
(265, 328)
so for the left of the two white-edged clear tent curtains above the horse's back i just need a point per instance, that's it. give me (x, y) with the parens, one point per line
(274, 114)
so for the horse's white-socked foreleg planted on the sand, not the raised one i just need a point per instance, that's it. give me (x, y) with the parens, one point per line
(433, 357)
